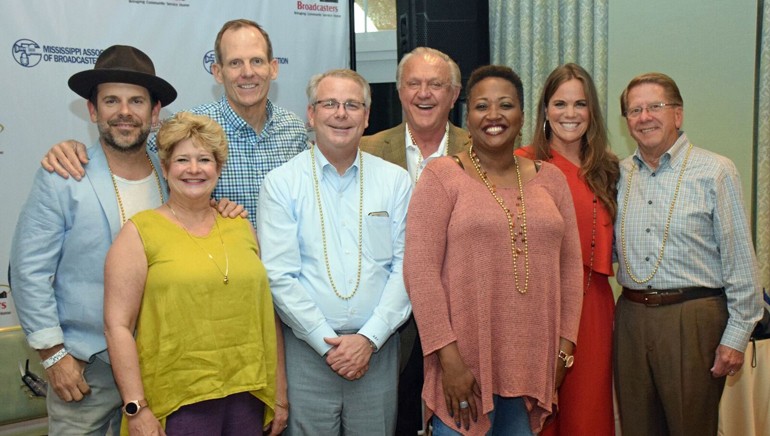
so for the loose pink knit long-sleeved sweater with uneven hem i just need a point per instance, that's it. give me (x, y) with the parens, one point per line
(459, 276)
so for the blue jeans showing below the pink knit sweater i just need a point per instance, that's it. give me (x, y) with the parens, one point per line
(509, 418)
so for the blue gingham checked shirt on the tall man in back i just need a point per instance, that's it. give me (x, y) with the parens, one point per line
(251, 154)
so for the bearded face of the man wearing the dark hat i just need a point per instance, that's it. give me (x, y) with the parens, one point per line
(124, 115)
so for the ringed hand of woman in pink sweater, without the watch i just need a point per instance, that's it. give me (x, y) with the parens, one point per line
(460, 387)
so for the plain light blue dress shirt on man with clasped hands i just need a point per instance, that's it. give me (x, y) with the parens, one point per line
(289, 230)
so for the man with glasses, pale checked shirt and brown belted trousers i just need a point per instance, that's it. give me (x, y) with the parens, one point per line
(691, 293)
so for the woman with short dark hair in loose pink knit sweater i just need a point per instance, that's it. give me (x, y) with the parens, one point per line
(493, 268)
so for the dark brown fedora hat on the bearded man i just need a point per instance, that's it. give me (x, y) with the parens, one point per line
(123, 64)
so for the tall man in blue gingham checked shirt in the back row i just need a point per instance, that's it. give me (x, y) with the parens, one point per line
(261, 136)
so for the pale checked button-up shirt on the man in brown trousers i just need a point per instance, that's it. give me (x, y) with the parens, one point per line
(709, 243)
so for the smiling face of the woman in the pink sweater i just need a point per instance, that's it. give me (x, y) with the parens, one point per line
(495, 115)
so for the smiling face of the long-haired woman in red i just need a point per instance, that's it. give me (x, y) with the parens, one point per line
(568, 114)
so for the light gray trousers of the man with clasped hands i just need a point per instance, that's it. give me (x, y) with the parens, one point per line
(324, 403)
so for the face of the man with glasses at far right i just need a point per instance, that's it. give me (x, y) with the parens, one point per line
(655, 133)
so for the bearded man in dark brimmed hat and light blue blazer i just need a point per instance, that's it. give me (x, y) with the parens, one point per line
(65, 229)
